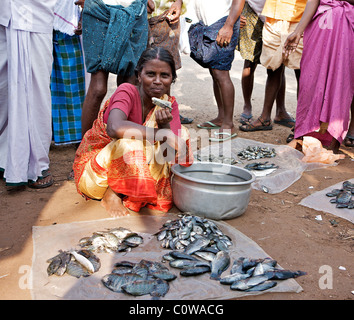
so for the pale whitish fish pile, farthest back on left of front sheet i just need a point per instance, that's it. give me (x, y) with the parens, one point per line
(112, 240)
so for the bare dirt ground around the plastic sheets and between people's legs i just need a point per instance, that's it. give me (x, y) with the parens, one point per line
(285, 230)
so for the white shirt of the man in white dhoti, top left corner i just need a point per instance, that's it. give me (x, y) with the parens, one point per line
(28, 15)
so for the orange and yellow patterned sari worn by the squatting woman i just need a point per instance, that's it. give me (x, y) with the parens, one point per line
(127, 166)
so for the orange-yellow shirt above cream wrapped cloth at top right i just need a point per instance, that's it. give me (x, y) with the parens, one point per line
(289, 10)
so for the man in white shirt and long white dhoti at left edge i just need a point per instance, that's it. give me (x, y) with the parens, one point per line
(26, 29)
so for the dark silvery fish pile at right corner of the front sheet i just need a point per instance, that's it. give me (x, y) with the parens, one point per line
(256, 274)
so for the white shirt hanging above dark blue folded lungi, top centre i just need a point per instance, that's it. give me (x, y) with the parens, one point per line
(210, 11)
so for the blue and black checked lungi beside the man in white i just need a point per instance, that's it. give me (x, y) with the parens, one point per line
(67, 88)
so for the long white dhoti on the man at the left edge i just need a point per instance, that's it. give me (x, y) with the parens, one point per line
(25, 103)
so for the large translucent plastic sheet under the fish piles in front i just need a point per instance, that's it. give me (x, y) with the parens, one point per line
(49, 239)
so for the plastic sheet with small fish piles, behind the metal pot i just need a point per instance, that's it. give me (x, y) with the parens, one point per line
(287, 159)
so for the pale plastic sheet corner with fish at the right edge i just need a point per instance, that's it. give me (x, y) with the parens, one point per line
(320, 202)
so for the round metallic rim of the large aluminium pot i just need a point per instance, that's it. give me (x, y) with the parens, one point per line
(183, 176)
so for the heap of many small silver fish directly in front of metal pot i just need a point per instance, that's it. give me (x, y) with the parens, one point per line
(192, 233)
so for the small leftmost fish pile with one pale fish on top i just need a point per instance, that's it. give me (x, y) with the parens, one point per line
(78, 264)
